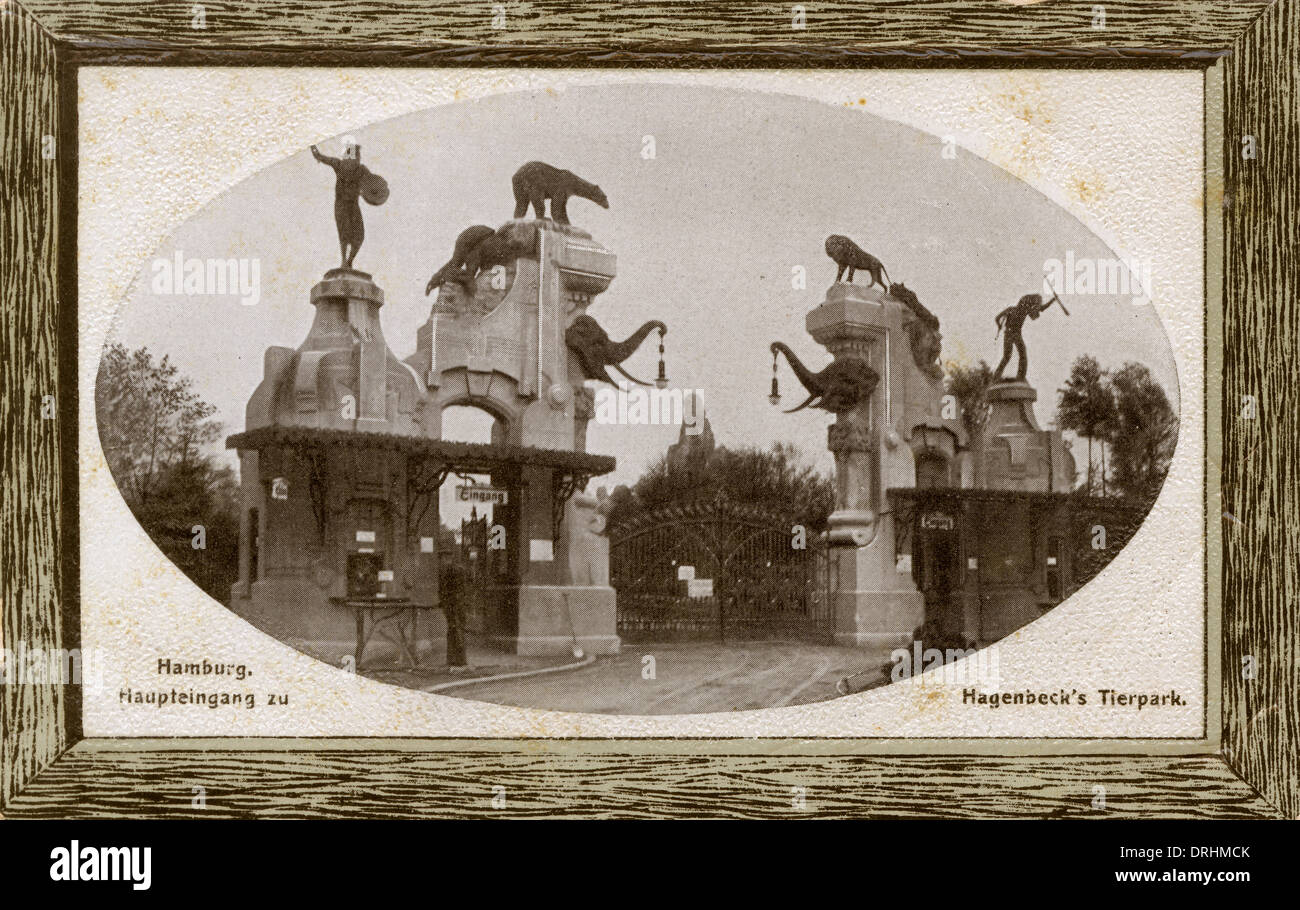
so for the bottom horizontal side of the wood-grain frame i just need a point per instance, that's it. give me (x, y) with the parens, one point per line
(366, 783)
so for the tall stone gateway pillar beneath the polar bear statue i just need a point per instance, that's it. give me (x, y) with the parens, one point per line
(499, 344)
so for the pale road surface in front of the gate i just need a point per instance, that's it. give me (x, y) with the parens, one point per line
(690, 678)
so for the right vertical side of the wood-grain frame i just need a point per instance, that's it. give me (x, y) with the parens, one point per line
(1262, 476)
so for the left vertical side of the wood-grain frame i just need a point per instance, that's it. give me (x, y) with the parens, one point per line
(32, 714)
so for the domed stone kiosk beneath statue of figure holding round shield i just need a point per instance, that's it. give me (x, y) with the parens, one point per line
(326, 488)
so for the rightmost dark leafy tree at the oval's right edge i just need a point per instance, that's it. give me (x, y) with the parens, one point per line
(1145, 436)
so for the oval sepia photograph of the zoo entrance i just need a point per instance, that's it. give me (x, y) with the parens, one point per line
(787, 404)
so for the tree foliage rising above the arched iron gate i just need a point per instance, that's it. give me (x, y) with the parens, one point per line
(775, 478)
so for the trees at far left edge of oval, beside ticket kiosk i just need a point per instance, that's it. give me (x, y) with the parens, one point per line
(154, 430)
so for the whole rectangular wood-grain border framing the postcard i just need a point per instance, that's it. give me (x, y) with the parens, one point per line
(1249, 50)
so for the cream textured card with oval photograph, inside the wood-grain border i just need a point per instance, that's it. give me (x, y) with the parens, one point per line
(643, 404)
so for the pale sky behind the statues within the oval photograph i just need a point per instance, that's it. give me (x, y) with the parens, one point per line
(743, 188)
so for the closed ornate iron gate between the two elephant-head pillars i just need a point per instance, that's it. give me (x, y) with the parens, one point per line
(718, 570)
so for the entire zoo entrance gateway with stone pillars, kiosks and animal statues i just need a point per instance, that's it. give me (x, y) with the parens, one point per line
(343, 458)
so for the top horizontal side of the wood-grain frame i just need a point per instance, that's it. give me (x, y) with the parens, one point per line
(591, 31)
